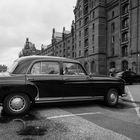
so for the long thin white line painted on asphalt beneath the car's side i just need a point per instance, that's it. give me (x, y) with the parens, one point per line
(72, 115)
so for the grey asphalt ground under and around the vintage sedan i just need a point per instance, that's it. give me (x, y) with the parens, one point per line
(91, 120)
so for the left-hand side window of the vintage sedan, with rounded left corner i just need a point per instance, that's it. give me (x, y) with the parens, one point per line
(45, 68)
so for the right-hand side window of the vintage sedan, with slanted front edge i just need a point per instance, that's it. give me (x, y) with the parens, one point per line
(72, 69)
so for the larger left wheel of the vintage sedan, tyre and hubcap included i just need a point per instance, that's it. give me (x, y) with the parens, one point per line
(15, 104)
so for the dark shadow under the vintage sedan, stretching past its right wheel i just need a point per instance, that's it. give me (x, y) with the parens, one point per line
(95, 103)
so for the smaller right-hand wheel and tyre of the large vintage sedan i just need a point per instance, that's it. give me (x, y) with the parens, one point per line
(112, 97)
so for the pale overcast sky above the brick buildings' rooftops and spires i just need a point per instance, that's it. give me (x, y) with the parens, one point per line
(34, 19)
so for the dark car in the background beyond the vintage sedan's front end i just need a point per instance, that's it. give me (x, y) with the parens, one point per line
(130, 77)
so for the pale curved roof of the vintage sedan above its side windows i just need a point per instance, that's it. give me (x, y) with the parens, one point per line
(38, 57)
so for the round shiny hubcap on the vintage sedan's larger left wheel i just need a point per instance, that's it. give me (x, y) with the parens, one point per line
(17, 103)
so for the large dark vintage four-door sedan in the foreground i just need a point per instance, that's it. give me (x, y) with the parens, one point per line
(43, 79)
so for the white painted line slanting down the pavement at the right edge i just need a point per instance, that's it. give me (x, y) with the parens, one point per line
(133, 102)
